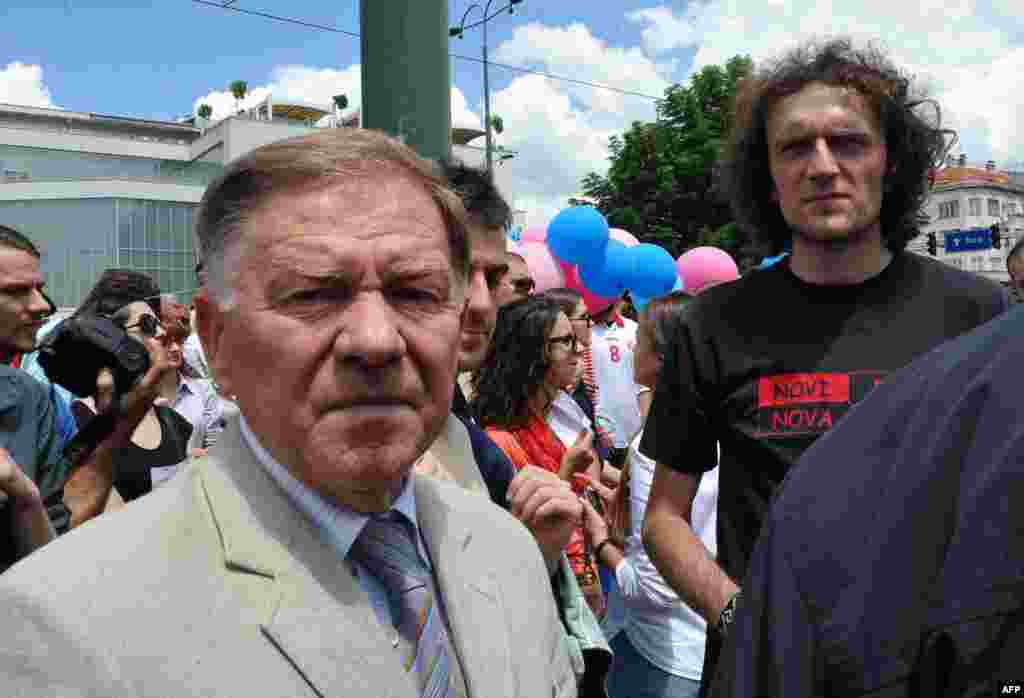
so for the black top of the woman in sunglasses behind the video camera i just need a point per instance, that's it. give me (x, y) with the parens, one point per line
(135, 463)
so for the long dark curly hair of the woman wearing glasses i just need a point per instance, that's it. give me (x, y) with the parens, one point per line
(516, 364)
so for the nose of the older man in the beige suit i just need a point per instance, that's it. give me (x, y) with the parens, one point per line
(370, 333)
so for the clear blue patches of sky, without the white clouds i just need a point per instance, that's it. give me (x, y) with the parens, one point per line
(152, 60)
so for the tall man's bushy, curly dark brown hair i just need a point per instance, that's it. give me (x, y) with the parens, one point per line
(914, 145)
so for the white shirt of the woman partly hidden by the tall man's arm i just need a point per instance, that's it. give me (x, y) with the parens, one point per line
(667, 632)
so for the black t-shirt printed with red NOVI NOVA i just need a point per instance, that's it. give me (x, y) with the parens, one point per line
(766, 365)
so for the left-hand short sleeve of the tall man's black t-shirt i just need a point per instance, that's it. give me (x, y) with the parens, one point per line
(678, 432)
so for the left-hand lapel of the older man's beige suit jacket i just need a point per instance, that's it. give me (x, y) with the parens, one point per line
(317, 615)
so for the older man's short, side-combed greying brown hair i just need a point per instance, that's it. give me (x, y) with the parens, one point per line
(293, 165)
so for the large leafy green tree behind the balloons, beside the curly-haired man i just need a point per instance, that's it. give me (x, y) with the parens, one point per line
(661, 184)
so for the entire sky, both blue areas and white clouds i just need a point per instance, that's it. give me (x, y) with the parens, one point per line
(161, 60)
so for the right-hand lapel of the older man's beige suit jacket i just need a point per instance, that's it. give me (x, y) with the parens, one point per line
(471, 594)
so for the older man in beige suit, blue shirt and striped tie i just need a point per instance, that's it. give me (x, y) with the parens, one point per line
(337, 264)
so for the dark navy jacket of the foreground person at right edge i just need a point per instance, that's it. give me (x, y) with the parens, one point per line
(895, 545)
